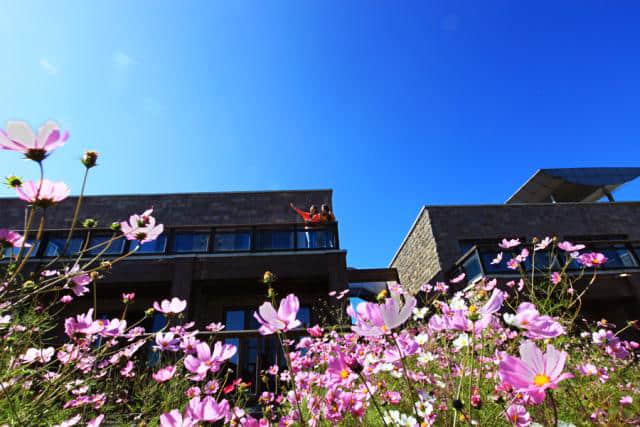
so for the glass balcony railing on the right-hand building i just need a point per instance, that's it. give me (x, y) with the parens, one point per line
(622, 255)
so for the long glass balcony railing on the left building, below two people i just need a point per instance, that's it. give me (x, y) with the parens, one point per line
(195, 240)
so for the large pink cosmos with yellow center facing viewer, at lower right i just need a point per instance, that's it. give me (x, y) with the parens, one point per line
(534, 372)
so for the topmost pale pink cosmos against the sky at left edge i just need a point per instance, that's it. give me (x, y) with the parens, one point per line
(19, 137)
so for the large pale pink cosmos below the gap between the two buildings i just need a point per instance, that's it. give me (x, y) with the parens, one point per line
(379, 319)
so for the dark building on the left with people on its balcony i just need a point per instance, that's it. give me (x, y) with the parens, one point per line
(213, 253)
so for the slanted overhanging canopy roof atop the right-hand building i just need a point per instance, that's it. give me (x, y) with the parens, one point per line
(572, 184)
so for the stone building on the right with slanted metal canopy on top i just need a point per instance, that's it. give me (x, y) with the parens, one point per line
(447, 240)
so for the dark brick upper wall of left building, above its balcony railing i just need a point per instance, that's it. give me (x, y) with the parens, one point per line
(247, 208)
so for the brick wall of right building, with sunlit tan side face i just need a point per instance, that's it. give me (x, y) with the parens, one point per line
(433, 245)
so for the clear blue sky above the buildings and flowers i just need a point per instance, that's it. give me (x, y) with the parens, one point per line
(392, 104)
